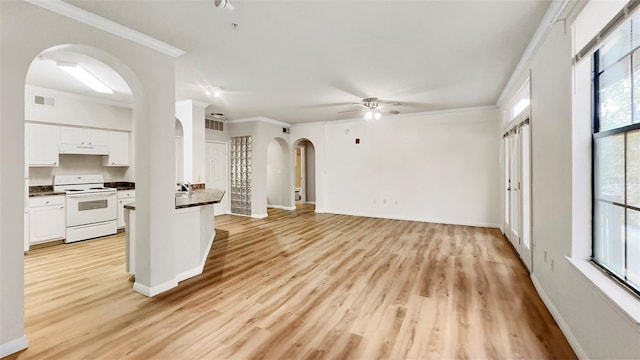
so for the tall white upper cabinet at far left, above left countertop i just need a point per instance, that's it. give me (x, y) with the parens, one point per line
(42, 143)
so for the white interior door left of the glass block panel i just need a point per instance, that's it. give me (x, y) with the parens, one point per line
(217, 173)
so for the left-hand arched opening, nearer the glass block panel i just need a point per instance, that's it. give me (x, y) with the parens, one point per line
(278, 174)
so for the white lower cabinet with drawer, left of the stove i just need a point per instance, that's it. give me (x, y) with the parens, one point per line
(46, 218)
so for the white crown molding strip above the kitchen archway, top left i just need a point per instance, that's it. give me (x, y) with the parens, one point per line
(98, 22)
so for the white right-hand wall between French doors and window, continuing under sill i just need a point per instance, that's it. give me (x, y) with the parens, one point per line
(594, 326)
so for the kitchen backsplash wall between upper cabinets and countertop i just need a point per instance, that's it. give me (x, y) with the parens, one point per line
(79, 165)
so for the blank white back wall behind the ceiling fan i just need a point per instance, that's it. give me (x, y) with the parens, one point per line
(434, 167)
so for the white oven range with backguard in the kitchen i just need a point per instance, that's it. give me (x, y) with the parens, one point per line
(91, 208)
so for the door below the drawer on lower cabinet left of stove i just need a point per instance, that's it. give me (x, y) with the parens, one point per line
(46, 223)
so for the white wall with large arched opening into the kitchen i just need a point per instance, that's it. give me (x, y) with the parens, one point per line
(26, 31)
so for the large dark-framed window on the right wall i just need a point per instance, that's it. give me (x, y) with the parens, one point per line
(616, 155)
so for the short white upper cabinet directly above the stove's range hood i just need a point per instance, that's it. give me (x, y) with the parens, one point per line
(78, 140)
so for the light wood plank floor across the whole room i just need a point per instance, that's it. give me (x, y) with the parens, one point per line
(297, 285)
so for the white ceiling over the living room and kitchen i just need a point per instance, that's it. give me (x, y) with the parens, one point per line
(306, 60)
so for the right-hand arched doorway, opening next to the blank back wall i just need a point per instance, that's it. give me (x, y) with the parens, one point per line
(304, 179)
